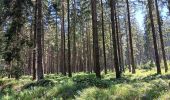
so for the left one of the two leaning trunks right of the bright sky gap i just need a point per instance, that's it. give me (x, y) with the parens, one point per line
(150, 2)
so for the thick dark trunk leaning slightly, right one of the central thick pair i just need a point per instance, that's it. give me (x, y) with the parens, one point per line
(112, 4)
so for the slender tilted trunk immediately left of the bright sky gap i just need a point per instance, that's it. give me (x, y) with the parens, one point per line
(130, 39)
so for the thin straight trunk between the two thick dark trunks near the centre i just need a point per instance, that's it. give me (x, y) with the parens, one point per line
(103, 37)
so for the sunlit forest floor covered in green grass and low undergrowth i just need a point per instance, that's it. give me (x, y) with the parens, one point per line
(144, 85)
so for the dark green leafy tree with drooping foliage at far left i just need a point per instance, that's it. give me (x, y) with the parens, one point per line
(14, 19)
